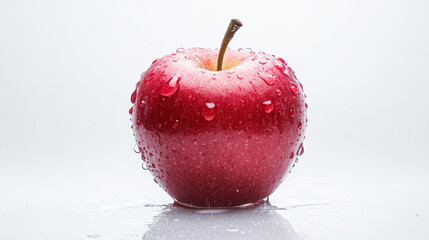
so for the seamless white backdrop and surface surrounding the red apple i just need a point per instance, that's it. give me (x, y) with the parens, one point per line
(67, 69)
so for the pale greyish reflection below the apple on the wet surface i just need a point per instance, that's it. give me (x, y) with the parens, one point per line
(258, 222)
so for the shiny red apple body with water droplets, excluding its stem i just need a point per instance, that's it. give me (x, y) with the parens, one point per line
(219, 138)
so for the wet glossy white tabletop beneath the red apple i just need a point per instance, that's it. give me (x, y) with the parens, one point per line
(131, 206)
